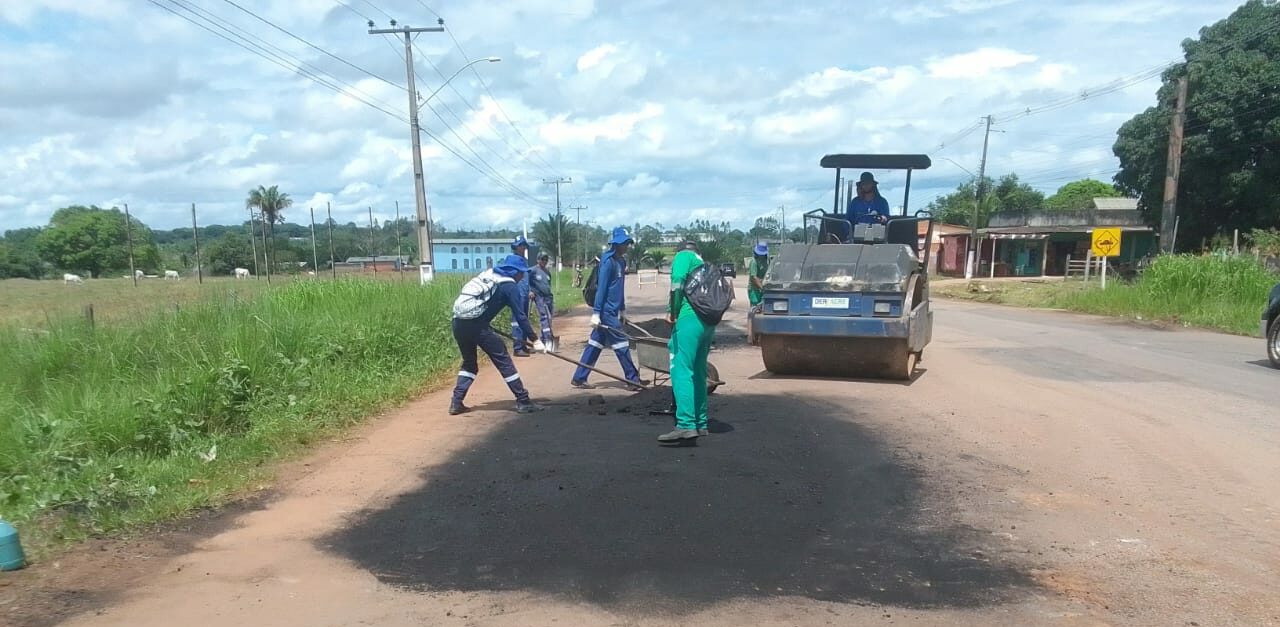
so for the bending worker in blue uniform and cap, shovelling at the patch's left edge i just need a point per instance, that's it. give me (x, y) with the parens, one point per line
(476, 333)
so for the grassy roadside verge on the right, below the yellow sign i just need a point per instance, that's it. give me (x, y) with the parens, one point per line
(1222, 294)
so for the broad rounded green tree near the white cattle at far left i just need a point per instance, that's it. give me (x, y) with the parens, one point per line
(94, 240)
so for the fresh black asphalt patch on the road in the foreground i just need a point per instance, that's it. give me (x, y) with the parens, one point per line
(792, 498)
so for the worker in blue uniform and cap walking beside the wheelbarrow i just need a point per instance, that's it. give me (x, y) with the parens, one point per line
(607, 313)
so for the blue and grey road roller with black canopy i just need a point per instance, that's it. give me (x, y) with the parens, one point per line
(853, 300)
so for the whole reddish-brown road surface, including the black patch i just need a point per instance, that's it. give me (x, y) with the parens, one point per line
(1044, 469)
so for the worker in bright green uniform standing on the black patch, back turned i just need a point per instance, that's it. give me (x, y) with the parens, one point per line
(689, 346)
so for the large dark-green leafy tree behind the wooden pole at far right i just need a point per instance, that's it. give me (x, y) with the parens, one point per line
(1231, 170)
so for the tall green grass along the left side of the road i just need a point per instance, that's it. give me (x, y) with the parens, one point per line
(143, 420)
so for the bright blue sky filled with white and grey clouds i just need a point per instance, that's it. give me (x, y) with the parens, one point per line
(657, 112)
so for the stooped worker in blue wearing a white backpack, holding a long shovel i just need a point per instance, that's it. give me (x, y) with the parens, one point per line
(481, 301)
